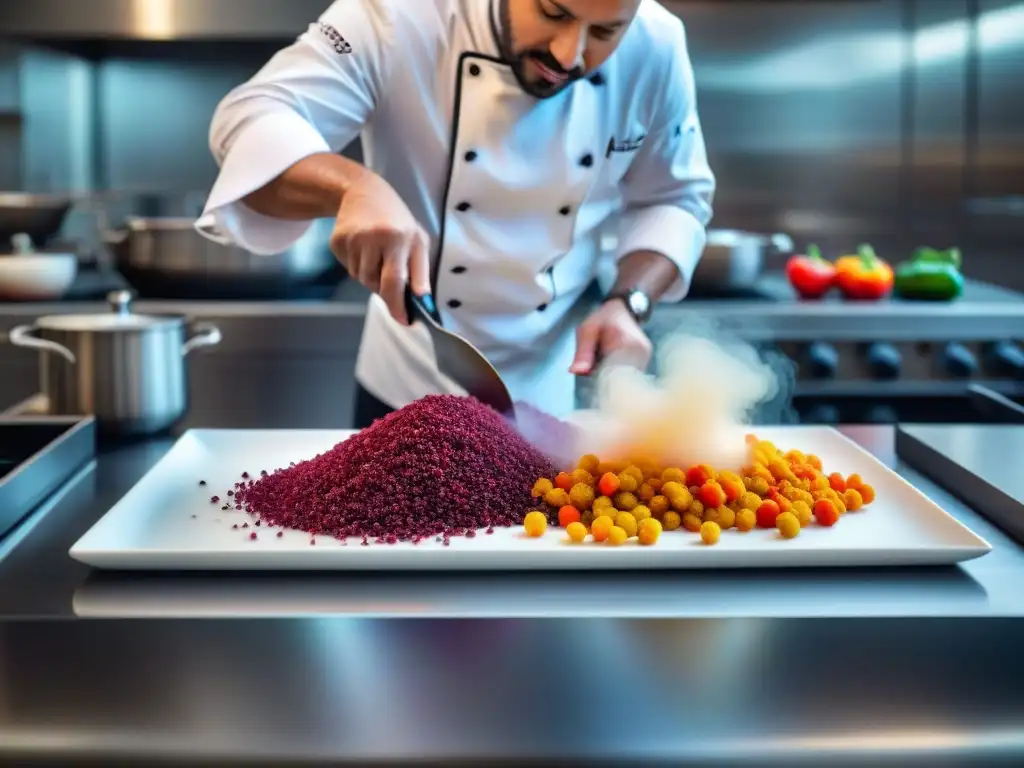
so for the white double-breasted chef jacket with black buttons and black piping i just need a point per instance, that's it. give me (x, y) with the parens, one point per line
(509, 188)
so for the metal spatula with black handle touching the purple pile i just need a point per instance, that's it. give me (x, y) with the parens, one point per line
(459, 360)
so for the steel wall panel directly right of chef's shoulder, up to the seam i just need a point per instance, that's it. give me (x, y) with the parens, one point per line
(801, 106)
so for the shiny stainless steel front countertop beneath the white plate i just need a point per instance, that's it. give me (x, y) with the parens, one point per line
(793, 668)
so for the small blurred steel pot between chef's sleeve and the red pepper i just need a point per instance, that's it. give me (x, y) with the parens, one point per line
(736, 260)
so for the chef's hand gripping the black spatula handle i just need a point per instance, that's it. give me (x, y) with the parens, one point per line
(380, 243)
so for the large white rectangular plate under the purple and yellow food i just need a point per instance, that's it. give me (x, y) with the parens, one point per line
(167, 523)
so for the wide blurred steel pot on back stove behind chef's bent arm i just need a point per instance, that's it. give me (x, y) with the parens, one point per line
(168, 258)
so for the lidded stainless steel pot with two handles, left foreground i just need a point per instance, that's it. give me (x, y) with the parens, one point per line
(127, 370)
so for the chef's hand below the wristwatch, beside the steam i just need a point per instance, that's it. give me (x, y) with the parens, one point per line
(611, 333)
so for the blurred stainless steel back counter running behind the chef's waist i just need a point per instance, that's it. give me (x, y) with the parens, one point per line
(984, 313)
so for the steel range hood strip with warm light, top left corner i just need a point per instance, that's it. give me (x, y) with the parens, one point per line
(157, 20)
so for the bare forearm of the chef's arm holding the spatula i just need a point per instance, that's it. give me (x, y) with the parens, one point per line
(312, 189)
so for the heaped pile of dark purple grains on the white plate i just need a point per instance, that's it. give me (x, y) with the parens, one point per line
(443, 466)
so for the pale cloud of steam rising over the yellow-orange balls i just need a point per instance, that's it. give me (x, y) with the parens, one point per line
(697, 409)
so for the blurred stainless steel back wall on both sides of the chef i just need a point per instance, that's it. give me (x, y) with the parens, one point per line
(897, 121)
